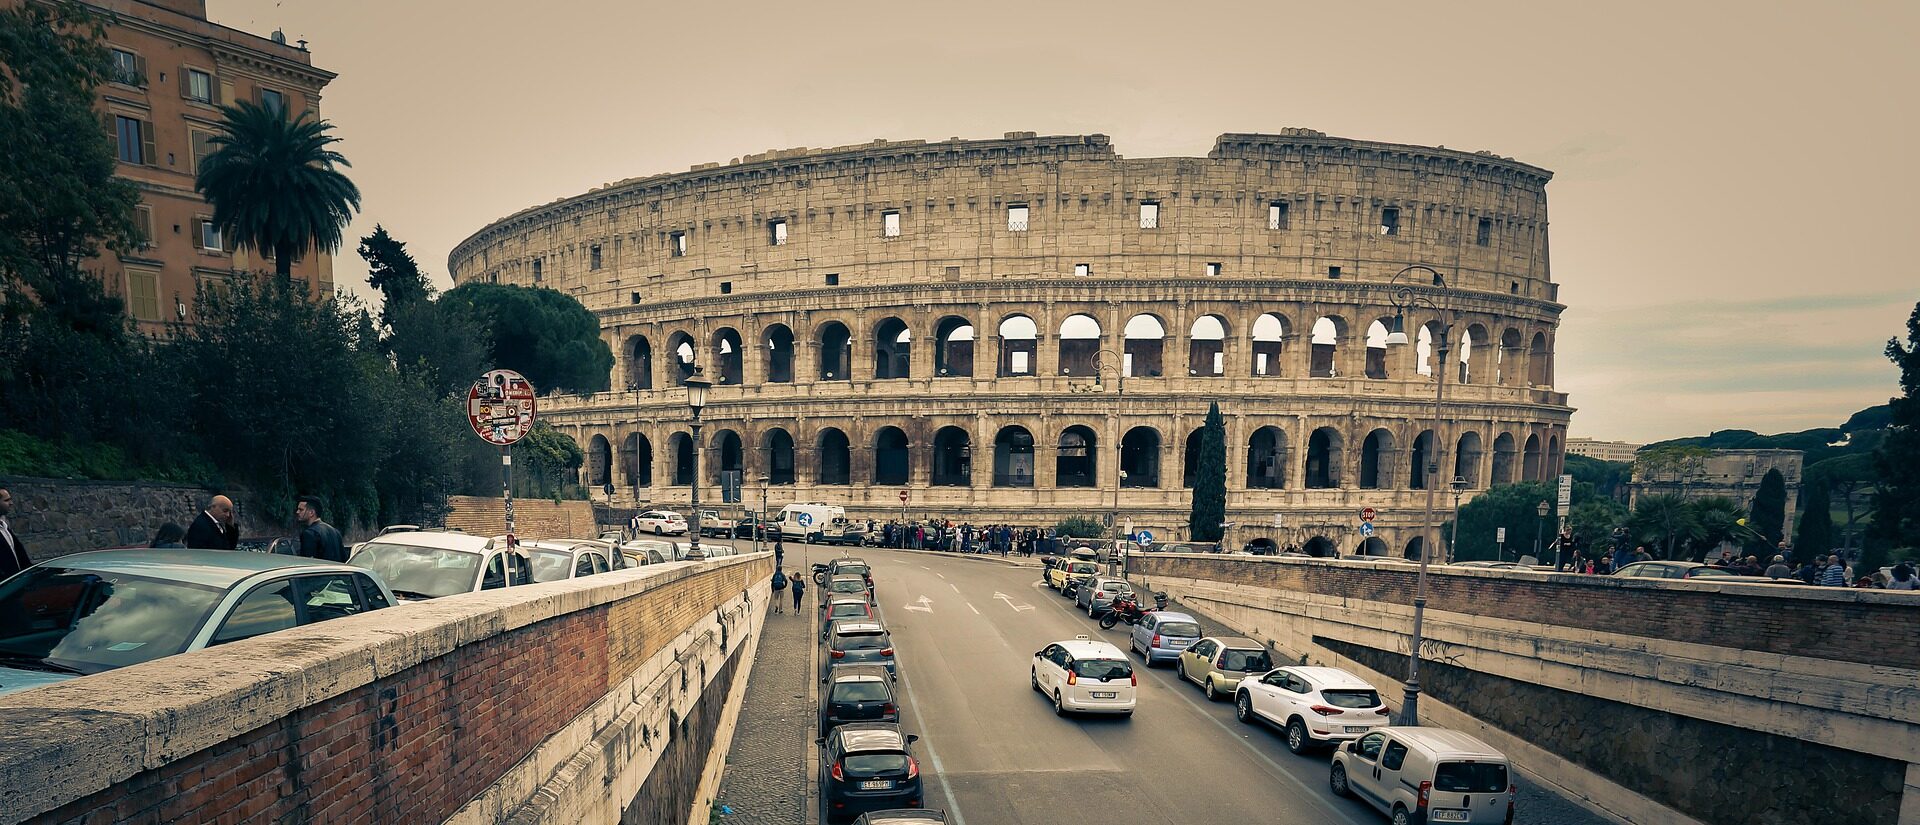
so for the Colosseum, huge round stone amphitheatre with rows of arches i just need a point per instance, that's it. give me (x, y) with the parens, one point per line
(1028, 329)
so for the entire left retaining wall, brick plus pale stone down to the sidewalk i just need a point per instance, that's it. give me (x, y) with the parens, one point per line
(577, 701)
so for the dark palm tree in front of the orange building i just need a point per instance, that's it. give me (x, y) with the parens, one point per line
(274, 183)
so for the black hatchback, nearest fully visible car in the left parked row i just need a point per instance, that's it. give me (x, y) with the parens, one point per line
(869, 768)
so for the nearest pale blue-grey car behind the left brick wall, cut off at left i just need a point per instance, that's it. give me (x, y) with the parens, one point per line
(91, 613)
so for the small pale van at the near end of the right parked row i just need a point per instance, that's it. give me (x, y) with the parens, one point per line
(1426, 776)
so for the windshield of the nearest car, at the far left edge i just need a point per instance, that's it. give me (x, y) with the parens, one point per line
(89, 621)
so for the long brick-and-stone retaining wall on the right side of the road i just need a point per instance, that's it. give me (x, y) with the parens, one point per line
(1662, 703)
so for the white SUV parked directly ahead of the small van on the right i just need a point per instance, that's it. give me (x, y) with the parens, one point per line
(1314, 705)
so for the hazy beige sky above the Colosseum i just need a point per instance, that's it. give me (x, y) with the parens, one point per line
(1729, 210)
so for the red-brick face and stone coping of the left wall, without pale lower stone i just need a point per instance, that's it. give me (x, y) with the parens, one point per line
(396, 717)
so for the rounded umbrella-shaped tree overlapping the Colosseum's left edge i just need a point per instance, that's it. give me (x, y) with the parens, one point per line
(544, 335)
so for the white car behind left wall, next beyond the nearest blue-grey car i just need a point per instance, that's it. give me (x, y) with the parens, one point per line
(431, 565)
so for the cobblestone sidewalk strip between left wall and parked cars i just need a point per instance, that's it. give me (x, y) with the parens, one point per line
(767, 778)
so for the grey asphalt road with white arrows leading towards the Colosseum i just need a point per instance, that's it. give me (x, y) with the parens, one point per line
(994, 753)
